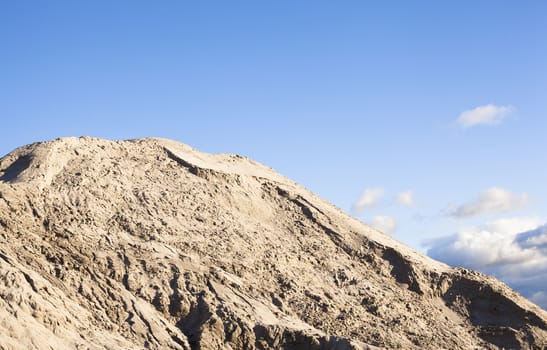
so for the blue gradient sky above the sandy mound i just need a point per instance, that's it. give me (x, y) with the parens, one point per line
(343, 97)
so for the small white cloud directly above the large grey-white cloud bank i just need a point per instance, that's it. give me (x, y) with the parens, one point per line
(492, 201)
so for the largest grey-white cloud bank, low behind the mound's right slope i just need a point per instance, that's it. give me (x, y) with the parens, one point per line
(514, 250)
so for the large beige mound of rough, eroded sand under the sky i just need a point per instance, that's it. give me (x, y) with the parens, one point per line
(151, 244)
